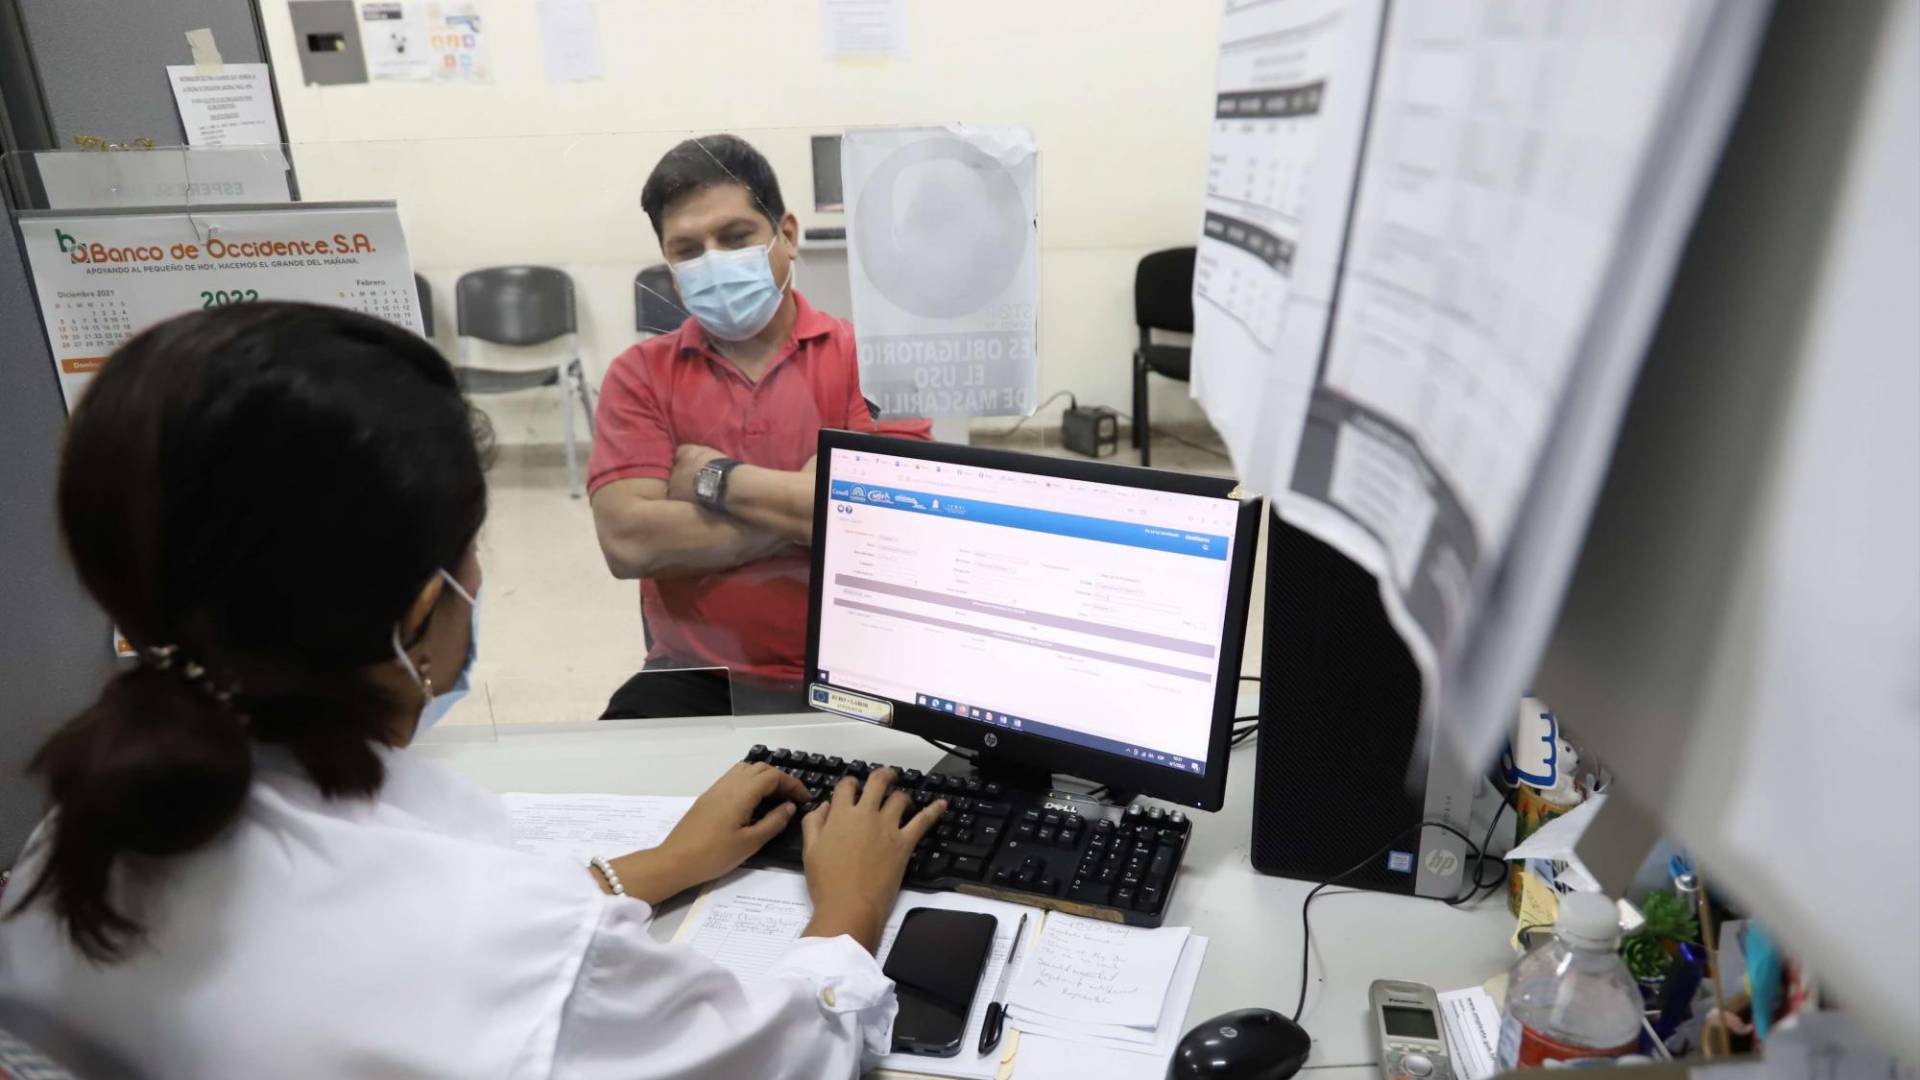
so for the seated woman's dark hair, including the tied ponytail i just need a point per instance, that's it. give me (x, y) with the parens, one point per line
(260, 489)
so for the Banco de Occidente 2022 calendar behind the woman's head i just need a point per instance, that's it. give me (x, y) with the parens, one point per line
(108, 276)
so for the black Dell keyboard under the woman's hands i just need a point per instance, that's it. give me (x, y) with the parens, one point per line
(1045, 848)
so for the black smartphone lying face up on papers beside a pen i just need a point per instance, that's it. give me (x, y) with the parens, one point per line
(936, 966)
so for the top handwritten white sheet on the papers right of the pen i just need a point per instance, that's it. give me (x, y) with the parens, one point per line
(1099, 973)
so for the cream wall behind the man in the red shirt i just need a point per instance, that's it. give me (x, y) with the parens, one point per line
(525, 170)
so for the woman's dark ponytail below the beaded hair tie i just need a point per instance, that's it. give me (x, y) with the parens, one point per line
(155, 768)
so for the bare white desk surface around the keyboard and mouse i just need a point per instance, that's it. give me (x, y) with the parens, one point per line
(1251, 920)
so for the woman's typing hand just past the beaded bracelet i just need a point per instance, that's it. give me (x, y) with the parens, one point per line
(717, 835)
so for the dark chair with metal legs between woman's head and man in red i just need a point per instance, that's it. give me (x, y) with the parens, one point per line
(525, 307)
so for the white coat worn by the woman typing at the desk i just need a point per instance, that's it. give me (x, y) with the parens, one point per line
(404, 937)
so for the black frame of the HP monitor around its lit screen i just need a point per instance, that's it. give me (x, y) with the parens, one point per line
(1205, 791)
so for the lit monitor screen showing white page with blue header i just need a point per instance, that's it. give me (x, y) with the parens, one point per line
(1080, 612)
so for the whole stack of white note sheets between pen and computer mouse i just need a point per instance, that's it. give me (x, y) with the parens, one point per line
(1099, 998)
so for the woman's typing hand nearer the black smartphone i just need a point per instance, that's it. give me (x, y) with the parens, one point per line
(857, 848)
